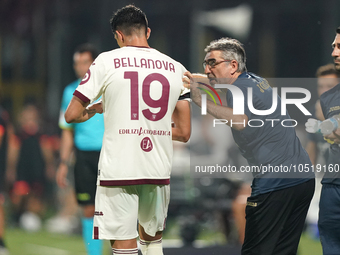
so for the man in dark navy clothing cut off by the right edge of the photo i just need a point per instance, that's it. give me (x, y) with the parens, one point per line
(329, 214)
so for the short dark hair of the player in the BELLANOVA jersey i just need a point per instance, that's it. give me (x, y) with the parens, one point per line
(128, 19)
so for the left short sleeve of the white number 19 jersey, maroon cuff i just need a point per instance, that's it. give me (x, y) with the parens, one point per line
(92, 85)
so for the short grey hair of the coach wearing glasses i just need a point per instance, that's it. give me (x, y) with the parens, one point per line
(231, 49)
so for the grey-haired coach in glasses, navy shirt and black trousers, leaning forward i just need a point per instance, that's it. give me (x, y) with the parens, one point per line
(277, 207)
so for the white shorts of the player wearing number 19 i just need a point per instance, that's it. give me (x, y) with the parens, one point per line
(117, 209)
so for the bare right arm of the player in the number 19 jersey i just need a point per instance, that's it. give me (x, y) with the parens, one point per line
(181, 130)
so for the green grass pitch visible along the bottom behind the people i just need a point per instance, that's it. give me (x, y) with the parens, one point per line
(43, 243)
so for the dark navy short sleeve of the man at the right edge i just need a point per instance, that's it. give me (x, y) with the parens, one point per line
(330, 102)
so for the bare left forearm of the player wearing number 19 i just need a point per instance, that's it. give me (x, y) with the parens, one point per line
(76, 111)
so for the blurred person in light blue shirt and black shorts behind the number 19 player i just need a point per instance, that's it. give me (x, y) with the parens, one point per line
(86, 140)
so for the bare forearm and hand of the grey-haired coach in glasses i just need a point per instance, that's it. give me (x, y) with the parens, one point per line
(239, 122)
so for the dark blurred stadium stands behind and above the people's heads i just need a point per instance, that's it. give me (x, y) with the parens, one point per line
(37, 39)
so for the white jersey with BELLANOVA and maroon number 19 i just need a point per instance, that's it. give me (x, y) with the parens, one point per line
(140, 88)
